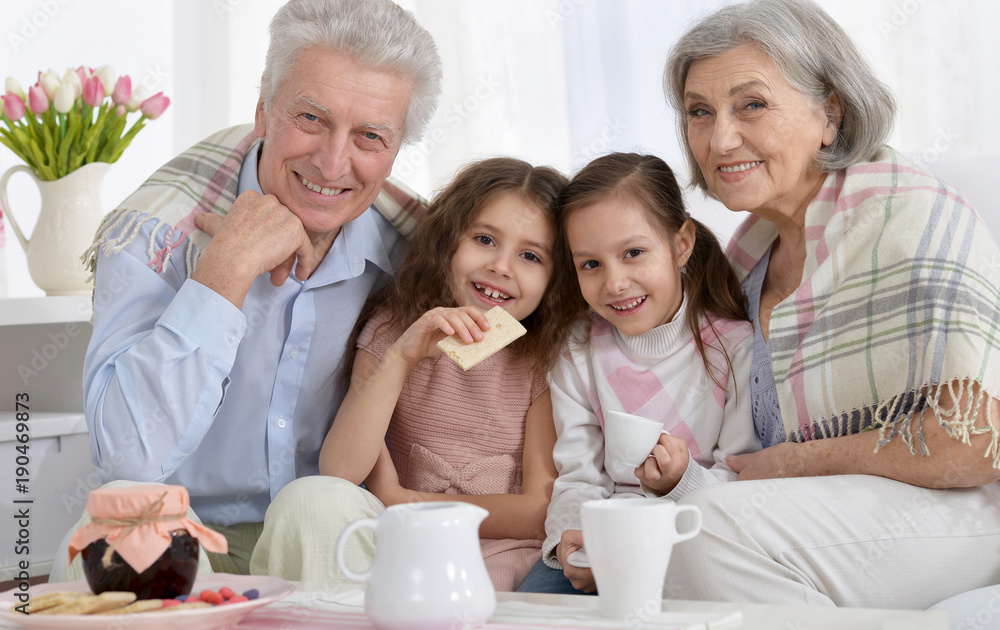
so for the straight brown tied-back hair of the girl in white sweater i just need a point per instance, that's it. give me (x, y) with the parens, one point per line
(709, 282)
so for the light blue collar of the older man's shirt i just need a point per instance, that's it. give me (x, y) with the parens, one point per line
(360, 240)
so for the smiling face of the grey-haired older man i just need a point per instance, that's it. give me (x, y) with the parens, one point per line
(330, 135)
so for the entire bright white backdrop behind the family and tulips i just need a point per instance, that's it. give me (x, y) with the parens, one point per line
(552, 81)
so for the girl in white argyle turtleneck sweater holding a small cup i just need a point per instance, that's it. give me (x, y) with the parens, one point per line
(664, 334)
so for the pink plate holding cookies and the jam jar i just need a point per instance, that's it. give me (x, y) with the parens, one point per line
(217, 617)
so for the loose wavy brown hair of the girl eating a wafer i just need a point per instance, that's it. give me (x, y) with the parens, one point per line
(423, 280)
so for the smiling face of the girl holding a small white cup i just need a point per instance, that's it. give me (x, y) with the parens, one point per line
(627, 270)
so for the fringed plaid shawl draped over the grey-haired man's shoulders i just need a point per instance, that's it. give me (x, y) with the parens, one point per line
(204, 179)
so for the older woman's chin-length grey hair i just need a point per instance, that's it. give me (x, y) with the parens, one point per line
(814, 55)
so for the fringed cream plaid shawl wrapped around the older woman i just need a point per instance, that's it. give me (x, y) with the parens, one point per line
(898, 303)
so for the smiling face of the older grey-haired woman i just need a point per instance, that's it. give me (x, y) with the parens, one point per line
(754, 136)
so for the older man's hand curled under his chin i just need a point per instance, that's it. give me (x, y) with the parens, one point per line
(258, 235)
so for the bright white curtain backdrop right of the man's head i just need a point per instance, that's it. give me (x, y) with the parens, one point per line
(575, 79)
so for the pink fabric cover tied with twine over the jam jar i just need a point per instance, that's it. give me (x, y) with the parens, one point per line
(136, 521)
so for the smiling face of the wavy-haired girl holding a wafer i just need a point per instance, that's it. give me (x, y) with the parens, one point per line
(504, 258)
